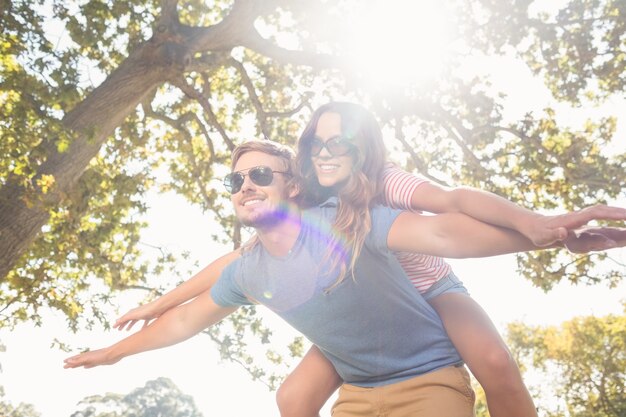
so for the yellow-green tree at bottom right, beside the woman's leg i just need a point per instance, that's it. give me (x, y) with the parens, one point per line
(584, 359)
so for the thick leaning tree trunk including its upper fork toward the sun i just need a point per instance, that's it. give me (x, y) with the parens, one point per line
(25, 210)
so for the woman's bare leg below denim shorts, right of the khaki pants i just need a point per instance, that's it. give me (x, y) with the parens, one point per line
(485, 353)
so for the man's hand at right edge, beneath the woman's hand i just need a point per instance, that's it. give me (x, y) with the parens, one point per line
(588, 239)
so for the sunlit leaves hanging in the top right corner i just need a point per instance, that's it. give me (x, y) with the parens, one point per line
(579, 50)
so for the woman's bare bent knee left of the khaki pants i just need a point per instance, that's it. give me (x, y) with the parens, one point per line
(308, 387)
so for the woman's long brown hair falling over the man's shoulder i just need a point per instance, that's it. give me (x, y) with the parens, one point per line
(362, 188)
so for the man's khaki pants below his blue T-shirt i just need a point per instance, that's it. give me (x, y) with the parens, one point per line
(443, 393)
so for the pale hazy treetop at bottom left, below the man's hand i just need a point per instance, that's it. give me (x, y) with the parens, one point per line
(159, 397)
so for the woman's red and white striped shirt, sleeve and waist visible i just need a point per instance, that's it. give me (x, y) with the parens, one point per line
(422, 270)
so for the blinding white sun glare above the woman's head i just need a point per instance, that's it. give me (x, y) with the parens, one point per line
(399, 42)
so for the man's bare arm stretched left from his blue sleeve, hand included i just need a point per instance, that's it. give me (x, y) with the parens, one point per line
(175, 326)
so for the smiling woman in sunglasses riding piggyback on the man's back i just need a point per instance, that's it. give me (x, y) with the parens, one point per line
(341, 152)
